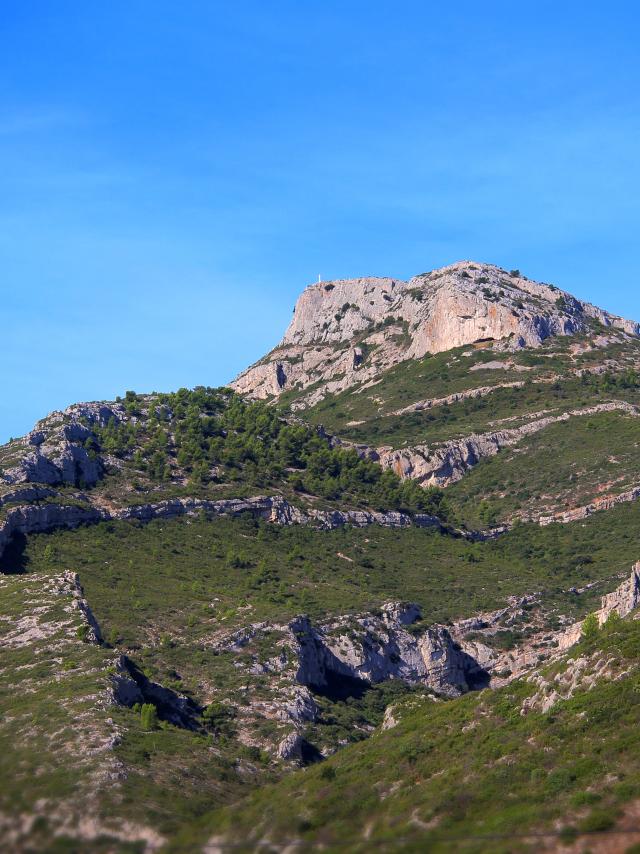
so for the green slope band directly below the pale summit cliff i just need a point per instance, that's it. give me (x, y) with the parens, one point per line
(446, 373)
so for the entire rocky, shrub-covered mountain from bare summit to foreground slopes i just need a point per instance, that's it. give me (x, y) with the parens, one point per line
(381, 593)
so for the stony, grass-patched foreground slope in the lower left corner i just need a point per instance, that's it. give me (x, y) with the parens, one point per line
(67, 753)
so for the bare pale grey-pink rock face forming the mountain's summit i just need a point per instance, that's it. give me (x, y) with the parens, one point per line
(348, 331)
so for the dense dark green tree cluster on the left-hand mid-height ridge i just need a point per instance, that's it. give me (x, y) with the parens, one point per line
(212, 434)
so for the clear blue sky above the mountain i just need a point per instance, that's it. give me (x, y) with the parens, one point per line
(172, 174)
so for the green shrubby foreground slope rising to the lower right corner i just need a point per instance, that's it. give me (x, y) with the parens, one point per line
(472, 774)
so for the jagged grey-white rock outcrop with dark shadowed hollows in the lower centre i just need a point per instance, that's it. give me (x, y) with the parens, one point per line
(355, 650)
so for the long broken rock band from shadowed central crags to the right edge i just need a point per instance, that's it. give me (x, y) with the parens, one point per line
(336, 655)
